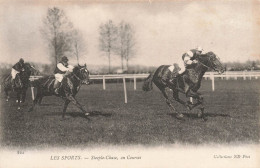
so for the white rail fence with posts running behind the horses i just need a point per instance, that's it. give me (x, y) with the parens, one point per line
(245, 75)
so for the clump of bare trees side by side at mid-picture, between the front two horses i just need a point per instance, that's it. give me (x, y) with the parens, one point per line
(118, 40)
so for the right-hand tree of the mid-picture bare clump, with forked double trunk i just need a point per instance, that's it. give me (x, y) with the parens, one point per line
(126, 43)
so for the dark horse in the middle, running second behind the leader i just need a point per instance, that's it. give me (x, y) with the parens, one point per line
(70, 86)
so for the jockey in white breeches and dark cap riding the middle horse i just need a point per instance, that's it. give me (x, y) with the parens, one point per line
(60, 71)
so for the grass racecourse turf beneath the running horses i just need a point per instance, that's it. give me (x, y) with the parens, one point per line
(232, 111)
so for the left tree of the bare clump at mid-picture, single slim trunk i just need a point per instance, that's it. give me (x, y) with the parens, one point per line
(107, 39)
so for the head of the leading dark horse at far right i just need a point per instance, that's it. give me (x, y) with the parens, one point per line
(210, 60)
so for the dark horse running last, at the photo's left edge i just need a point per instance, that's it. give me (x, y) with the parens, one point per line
(21, 84)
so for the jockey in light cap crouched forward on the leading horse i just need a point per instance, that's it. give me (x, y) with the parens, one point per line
(188, 58)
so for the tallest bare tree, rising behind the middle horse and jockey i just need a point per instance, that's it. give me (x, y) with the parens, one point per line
(58, 31)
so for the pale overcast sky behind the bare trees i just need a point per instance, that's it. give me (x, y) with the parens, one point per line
(163, 30)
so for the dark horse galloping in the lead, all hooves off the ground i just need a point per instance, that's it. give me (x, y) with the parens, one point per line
(188, 83)
